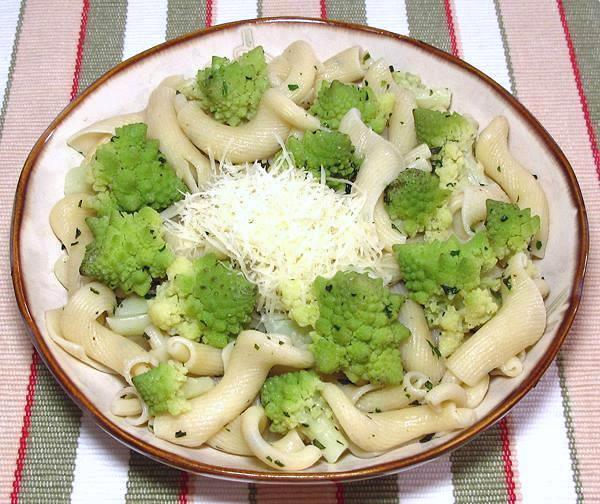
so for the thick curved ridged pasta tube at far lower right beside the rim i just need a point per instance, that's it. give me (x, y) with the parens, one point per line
(519, 323)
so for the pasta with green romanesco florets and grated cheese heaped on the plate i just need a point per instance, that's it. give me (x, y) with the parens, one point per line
(294, 259)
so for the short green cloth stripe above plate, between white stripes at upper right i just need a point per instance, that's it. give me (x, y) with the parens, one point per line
(427, 22)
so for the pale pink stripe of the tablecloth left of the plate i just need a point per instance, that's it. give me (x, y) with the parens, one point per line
(40, 88)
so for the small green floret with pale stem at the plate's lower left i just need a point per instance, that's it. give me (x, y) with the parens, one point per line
(161, 388)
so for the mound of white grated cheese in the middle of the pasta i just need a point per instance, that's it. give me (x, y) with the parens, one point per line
(278, 226)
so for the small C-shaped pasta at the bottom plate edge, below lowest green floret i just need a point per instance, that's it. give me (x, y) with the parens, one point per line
(272, 455)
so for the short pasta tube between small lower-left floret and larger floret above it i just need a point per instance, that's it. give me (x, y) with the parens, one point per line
(198, 358)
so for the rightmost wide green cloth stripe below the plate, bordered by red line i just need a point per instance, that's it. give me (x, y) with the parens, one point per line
(478, 470)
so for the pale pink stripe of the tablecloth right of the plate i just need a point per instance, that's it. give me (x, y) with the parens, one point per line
(546, 85)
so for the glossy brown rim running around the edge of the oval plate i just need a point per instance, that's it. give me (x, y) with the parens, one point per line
(298, 477)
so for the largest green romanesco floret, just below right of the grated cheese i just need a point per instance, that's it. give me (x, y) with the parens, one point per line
(357, 331)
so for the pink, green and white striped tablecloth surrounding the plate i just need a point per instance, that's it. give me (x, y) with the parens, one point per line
(545, 51)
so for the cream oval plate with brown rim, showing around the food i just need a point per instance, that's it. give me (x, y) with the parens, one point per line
(125, 88)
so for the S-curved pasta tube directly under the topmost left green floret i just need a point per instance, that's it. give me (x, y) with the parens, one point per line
(257, 139)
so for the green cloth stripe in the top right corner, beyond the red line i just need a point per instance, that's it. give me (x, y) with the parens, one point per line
(583, 18)
